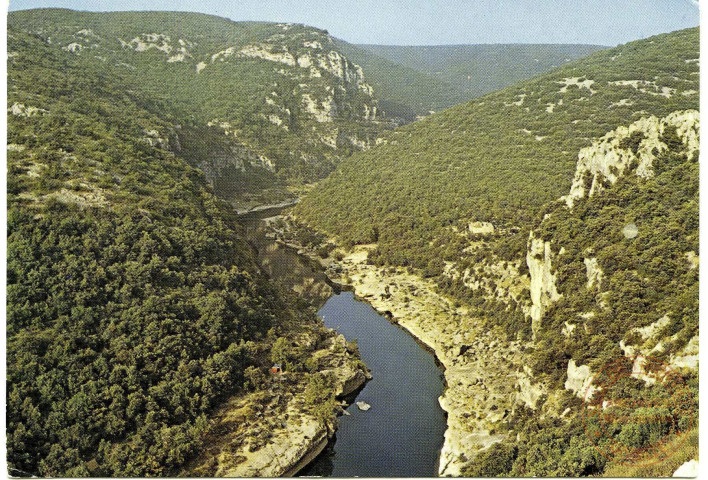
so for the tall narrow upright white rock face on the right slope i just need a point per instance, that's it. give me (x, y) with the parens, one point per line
(543, 281)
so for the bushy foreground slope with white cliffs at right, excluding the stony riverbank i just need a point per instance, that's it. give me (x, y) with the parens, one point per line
(613, 278)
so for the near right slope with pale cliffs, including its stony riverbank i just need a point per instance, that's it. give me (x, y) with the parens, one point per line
(599, 312)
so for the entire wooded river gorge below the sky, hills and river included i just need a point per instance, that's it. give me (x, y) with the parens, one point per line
(254, 249)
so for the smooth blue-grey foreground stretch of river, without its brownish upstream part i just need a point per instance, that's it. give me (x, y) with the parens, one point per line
(401, 435)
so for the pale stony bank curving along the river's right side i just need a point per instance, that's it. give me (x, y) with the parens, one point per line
(484, 373)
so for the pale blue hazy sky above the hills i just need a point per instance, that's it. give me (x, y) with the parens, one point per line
(429, 22)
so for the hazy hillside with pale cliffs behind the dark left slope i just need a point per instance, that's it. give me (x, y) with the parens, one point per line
(255, 105)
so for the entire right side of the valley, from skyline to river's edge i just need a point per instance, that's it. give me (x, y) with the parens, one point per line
(558, 219)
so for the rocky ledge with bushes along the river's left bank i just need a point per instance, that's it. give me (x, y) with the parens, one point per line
(276, 432)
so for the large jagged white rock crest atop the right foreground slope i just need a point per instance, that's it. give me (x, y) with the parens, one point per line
(606, 161)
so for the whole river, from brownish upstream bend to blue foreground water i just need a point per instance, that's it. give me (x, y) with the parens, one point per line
(402, 434)
